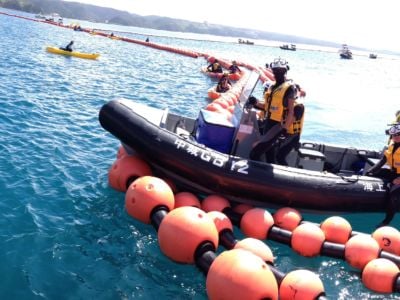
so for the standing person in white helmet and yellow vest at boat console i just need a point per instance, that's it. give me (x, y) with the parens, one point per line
(278, 108)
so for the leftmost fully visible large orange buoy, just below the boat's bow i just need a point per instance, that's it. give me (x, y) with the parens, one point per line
(146, 193)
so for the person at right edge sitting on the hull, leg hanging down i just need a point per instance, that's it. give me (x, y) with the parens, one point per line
(391, 158)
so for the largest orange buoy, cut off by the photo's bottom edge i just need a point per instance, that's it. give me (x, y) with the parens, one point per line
(239, 274)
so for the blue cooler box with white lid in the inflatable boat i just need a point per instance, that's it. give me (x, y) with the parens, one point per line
(215, 131)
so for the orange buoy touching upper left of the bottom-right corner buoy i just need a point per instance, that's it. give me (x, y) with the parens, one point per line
(361, 249)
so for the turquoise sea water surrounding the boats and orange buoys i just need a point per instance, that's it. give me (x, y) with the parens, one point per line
(64, 232)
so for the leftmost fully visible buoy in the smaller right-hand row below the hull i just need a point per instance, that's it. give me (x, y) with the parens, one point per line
(256, 223)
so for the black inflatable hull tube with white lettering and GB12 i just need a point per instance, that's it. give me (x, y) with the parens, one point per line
(206, 171)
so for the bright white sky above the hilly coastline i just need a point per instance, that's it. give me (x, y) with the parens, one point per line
(364, 23)
